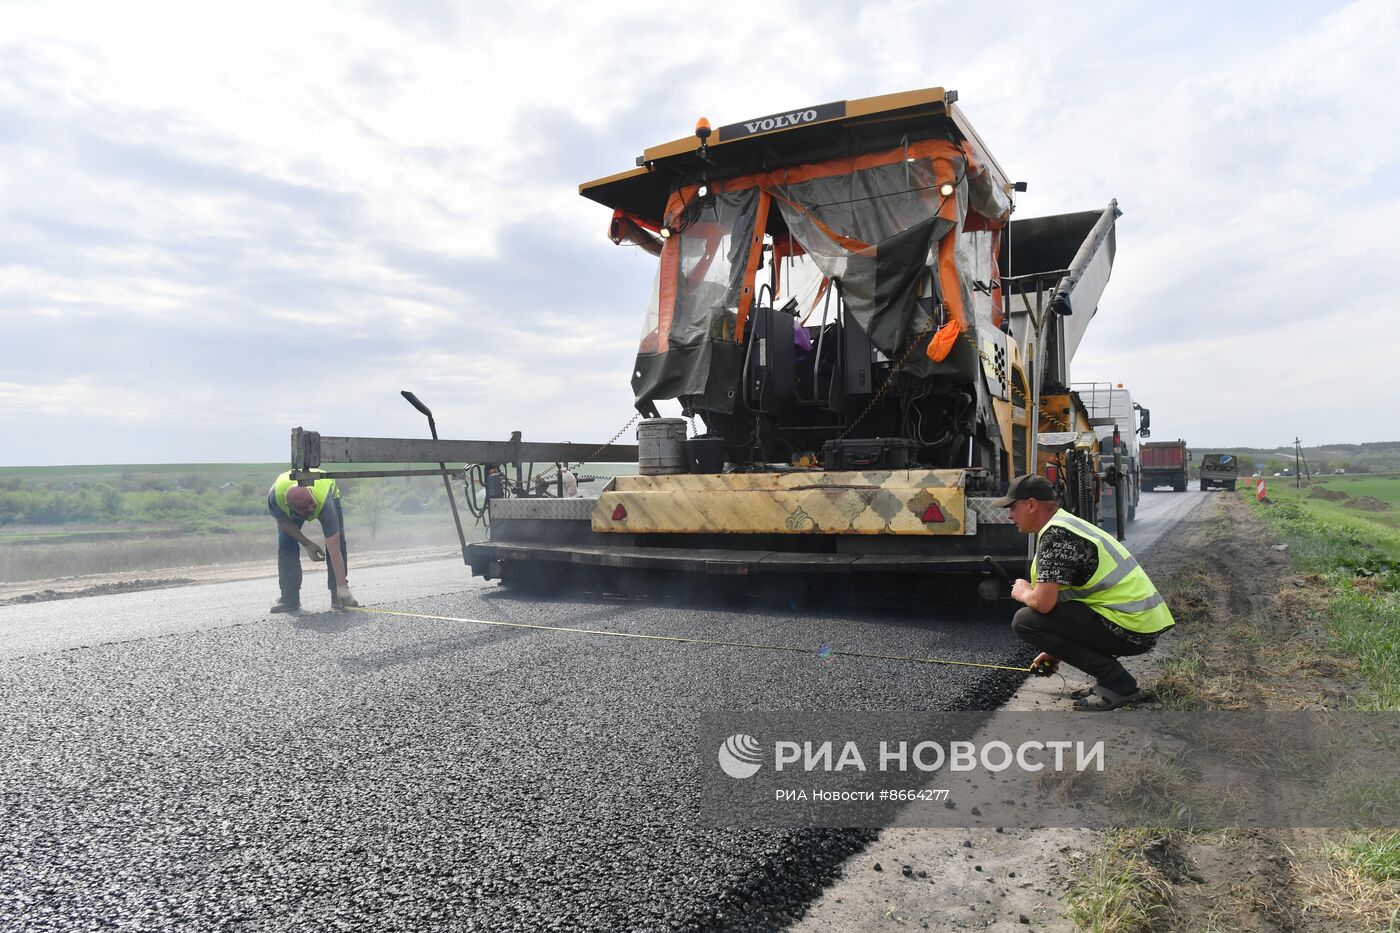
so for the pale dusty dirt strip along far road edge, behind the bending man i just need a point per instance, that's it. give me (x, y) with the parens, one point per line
(135, 581)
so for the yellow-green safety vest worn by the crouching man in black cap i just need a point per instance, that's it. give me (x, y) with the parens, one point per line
(1119, 589)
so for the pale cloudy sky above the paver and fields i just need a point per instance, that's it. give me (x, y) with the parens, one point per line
(222, 222)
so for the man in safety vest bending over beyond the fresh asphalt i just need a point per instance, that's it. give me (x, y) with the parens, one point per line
(292, 506)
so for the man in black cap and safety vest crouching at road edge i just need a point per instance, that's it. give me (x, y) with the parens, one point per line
(1090, 602)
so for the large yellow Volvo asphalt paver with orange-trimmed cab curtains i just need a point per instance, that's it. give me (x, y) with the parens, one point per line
(864, 348)
